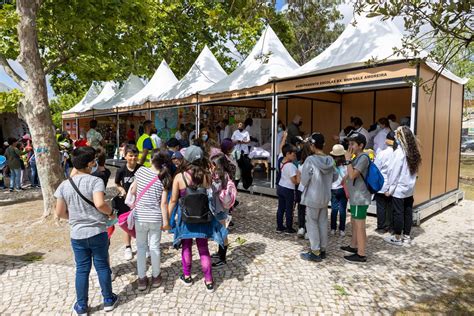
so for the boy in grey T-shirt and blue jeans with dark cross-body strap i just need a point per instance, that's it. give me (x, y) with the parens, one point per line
(88, 227)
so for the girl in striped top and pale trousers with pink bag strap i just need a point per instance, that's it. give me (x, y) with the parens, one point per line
(151, 187)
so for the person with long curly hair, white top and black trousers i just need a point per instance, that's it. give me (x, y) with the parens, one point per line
(401, 184)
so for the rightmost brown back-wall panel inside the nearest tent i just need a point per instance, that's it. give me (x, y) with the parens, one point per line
(394, 101)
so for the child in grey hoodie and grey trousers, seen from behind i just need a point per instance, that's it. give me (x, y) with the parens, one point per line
(317, 176)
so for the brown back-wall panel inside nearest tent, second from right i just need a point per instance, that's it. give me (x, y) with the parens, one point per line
(358, 104)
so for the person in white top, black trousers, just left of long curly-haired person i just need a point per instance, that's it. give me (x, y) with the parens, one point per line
(384, 162)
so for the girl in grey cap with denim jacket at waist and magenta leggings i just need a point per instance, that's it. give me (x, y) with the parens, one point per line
(196, 174)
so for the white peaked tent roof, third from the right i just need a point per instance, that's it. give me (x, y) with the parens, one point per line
(205, 71)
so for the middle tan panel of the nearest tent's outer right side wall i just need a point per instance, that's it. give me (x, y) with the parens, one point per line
(440, 146)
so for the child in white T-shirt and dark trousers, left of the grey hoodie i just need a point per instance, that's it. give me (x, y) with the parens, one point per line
(289, 178)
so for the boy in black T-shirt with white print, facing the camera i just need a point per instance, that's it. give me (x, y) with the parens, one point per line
(123, 180)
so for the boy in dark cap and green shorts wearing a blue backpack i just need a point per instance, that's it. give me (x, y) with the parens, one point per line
(360, 197)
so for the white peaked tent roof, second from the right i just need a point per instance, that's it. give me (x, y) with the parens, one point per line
(268, 59)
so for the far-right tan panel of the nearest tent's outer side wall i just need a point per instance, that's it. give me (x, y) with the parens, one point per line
(452, 181)
